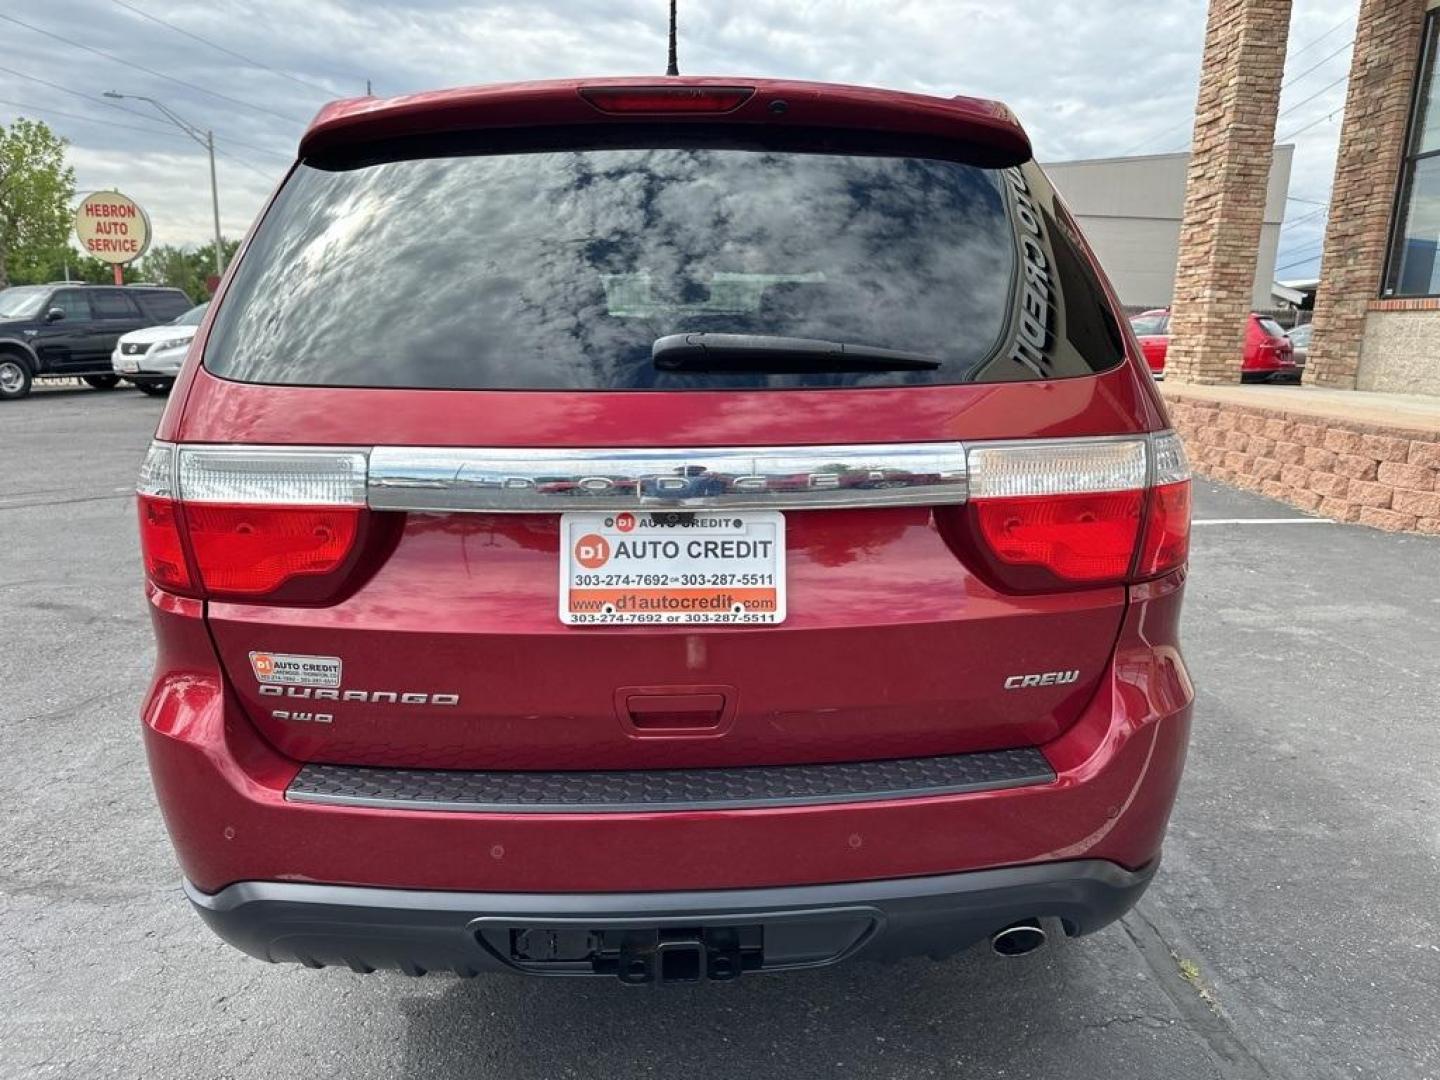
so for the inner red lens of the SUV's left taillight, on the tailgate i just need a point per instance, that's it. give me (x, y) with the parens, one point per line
(248, 552)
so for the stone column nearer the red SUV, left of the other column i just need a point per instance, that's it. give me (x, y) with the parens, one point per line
(1226, 188)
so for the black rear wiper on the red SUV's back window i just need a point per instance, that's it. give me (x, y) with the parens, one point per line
(780, 355)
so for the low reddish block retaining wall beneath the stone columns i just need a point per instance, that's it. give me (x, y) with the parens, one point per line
(1382, 477)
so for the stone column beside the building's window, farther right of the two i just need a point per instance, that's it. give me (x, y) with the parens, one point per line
(1367, 169)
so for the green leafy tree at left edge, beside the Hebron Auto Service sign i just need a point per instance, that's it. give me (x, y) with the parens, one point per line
(37, 191)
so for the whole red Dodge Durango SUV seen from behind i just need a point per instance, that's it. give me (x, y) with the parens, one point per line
(665, 529)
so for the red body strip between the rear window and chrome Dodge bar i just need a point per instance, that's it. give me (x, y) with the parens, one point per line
(221, 411)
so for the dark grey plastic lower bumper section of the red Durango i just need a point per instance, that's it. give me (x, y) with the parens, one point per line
(800, 927)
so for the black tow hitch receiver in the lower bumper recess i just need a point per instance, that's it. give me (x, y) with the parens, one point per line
(639, 957)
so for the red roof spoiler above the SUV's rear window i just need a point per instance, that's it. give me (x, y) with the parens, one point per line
(980, 126)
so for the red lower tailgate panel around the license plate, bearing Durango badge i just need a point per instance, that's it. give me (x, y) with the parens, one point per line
(892, 650)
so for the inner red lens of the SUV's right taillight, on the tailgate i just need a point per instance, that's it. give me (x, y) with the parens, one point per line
(1076, 538)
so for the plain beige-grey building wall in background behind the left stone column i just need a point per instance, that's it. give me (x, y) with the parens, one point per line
(1131, 212)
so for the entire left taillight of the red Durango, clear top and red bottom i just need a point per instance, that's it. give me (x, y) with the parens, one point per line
(251, 523)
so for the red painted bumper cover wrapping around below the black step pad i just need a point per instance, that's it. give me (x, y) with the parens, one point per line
(222, 787)
